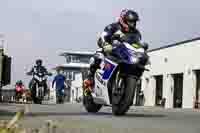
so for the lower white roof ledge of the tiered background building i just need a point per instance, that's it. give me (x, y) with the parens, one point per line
(72, 65)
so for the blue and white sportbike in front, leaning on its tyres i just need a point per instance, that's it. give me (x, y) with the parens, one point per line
(115, 82)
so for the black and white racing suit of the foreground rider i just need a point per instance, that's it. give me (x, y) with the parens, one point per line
(106, 37)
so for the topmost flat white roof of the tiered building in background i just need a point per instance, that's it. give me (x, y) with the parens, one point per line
(77, 53)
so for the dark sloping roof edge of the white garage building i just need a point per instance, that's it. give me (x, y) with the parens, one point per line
(175, 44)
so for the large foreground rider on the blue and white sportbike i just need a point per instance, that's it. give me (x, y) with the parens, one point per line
(126, 24)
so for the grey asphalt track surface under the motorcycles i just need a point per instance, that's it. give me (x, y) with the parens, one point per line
(74, 118)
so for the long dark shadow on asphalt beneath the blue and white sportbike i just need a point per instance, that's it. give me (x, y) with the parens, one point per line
(38, 114)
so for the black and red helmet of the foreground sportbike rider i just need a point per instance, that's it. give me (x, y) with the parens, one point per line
(129, 18)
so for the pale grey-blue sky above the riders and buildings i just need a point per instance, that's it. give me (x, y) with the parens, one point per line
(44, 28)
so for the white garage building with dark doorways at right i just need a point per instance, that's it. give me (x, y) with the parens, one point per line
(174, 75)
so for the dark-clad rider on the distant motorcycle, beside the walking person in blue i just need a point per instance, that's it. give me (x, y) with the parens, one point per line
(38, 68)
